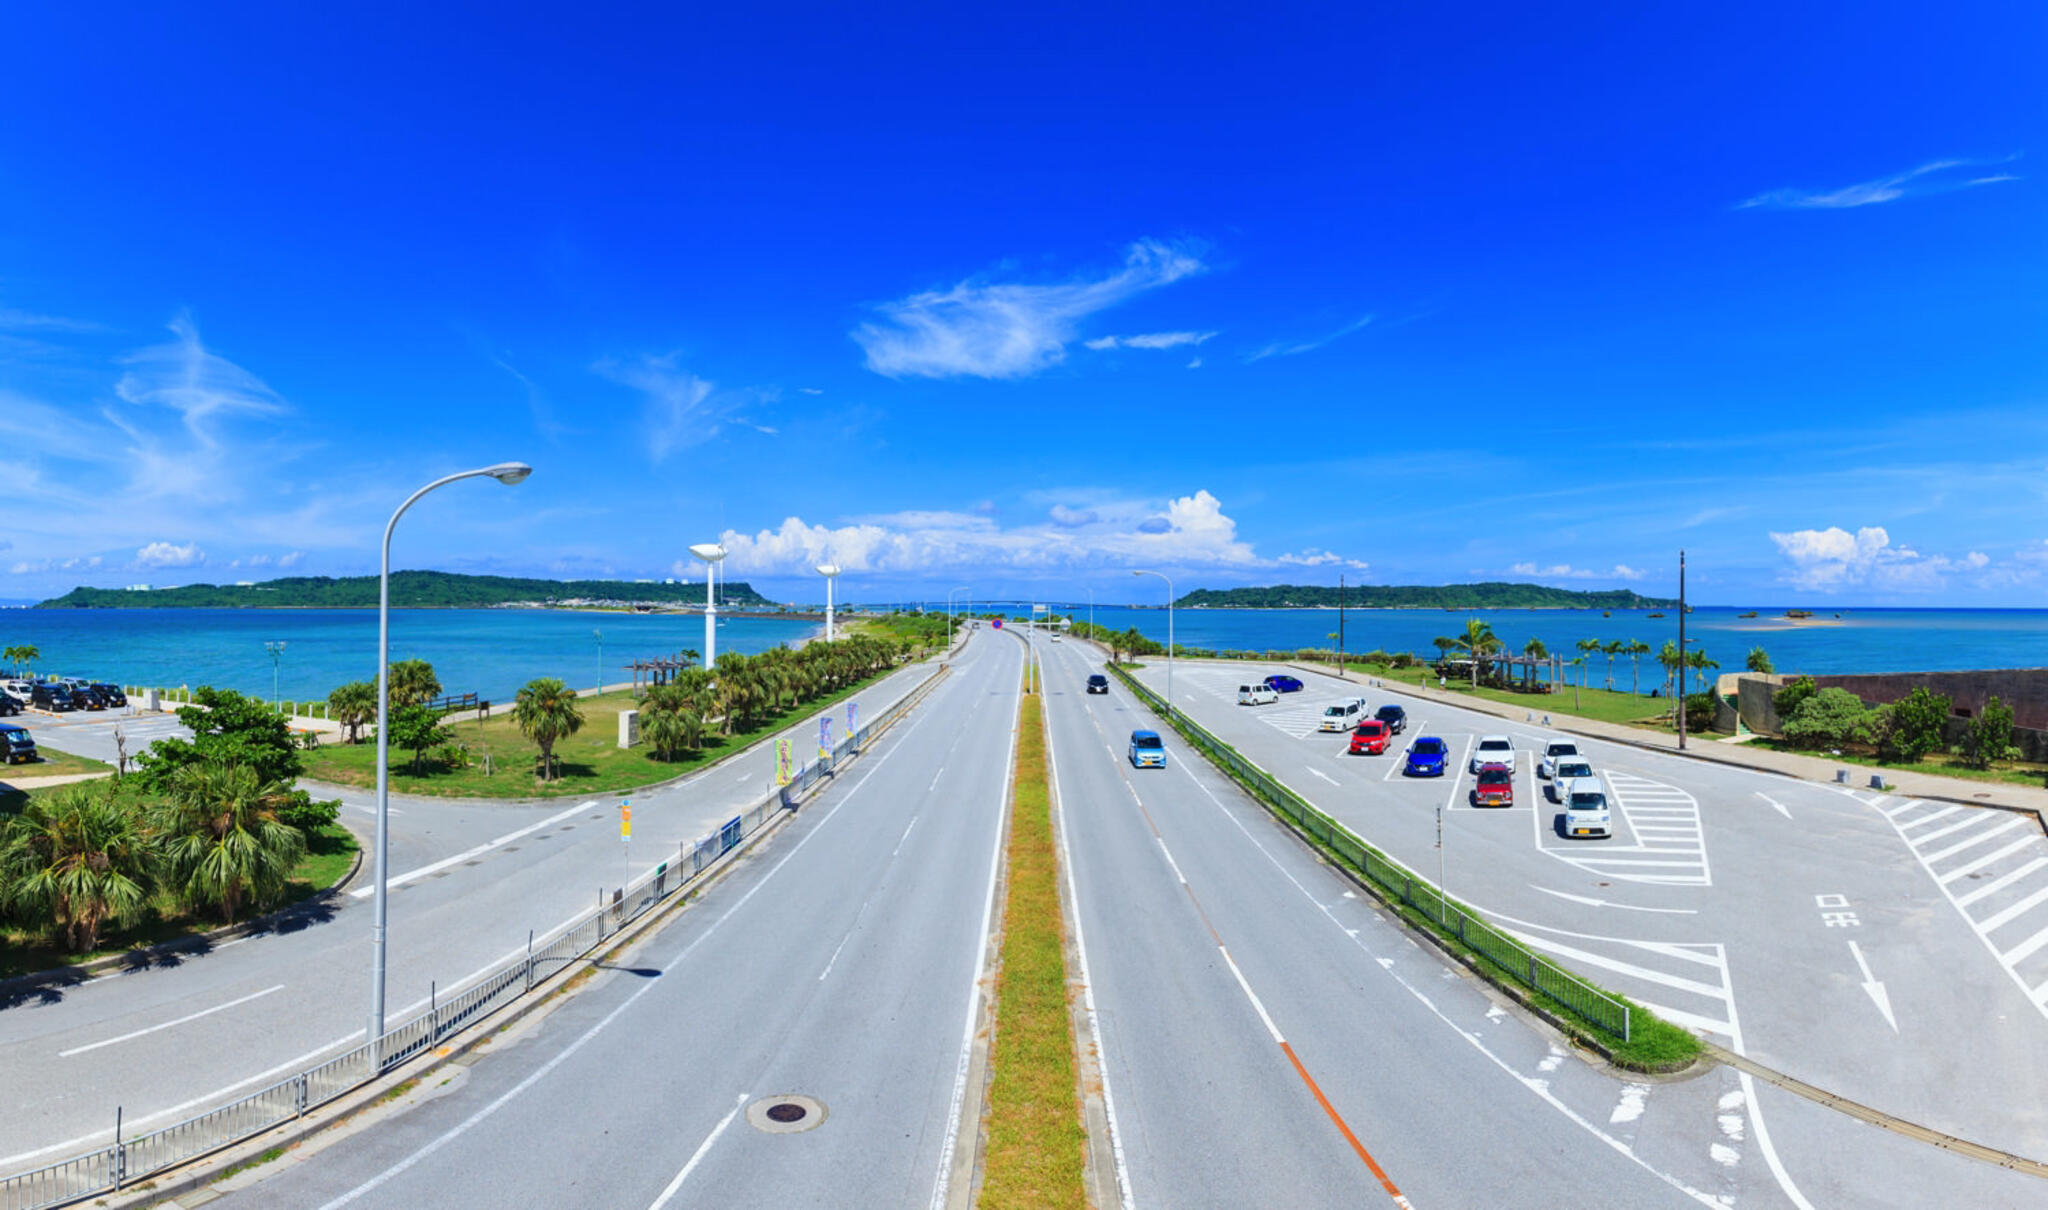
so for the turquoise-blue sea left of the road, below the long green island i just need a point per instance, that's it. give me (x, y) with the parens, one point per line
(484, 652)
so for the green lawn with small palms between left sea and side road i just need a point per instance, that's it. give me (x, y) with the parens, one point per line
(589, 763)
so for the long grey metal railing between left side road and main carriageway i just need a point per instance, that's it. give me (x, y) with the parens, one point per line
(144, 1156)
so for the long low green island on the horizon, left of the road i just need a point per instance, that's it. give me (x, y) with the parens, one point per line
(413, 591)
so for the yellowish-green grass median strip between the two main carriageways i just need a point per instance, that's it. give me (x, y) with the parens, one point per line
(1035, 1154)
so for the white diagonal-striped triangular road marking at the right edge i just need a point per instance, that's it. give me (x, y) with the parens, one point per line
(1994, 869)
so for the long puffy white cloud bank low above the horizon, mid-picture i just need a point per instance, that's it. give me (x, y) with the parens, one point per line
(1189, 531)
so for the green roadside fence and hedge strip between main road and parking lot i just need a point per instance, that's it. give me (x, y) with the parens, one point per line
(1496, 947)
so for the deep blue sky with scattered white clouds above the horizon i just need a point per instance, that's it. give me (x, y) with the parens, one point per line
(1021, 302)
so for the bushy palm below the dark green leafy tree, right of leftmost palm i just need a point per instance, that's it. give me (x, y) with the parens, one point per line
(222, 836)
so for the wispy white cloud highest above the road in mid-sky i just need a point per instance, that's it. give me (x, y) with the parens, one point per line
(1007, 331)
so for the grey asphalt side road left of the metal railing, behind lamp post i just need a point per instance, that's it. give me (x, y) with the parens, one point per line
(470, 881)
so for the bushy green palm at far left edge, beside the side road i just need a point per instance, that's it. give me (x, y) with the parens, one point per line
(77, 859)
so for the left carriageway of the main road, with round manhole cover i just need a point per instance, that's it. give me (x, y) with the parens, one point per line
(837, 963)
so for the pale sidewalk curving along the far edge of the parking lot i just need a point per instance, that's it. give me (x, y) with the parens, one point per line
(1791, 765)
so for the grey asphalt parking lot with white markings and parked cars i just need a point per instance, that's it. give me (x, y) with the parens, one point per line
(1730, 900)
